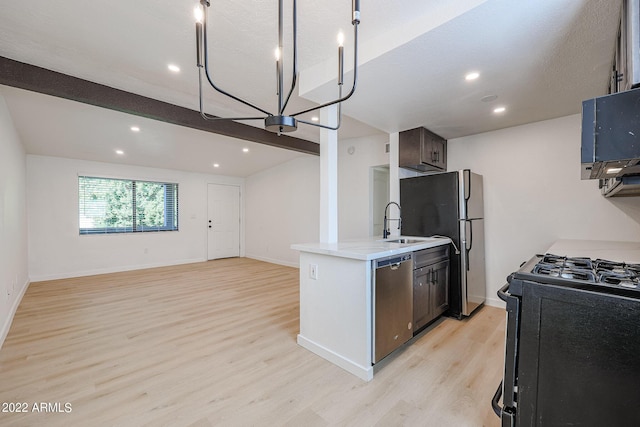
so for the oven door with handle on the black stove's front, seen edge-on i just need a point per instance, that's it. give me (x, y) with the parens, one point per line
(508, 388)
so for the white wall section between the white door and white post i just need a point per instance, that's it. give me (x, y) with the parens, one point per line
(283, 207)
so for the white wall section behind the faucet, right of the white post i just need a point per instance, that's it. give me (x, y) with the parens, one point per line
(354, 183)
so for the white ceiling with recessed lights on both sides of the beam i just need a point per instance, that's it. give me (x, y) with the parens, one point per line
(541, 58)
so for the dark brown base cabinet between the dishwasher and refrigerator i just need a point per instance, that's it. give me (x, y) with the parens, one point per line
(430, 285)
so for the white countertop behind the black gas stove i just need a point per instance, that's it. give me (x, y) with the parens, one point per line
(628, 252)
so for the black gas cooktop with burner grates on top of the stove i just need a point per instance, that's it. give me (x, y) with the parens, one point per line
(580, 270)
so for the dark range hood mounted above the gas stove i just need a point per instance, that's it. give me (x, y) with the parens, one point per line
(611, 138)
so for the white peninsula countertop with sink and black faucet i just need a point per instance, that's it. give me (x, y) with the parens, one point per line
(371, 248)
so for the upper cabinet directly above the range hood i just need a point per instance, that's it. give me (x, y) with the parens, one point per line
(626, 67)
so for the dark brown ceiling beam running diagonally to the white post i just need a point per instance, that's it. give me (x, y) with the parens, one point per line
(37, 79)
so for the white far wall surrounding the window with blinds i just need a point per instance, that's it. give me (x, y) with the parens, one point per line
(57, 250)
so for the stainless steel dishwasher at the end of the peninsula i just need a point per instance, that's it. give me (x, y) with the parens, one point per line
(393, 304)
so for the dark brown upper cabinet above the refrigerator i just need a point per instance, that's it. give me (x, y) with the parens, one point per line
(422, 150)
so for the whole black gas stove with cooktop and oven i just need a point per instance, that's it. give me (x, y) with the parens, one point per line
(571, 344)
